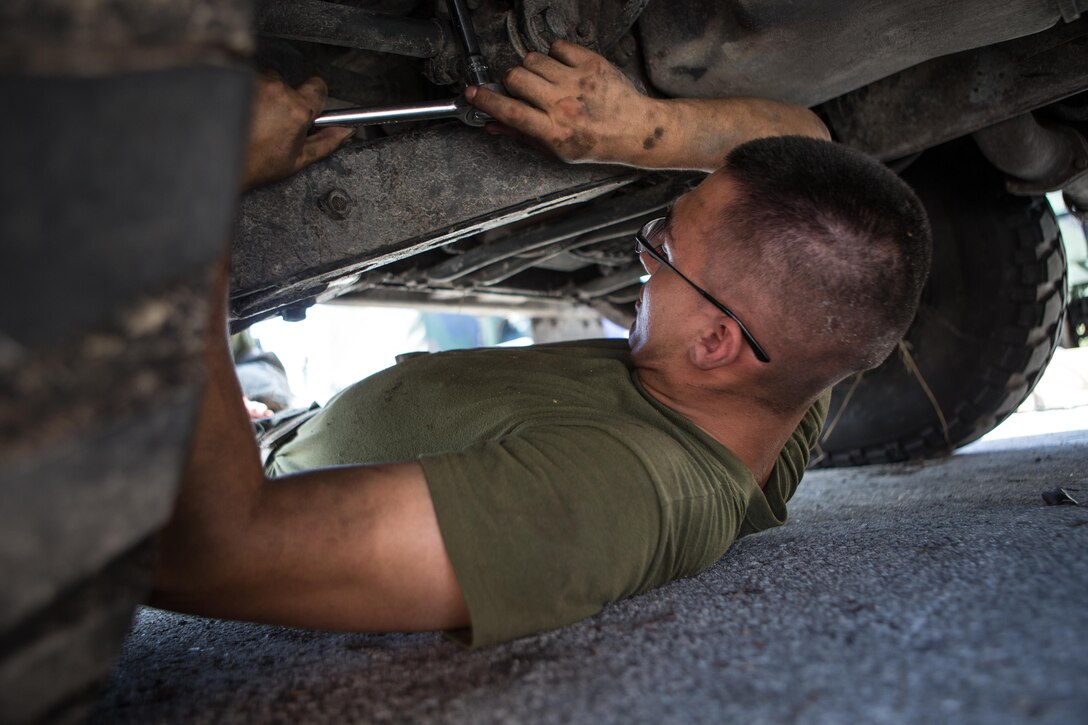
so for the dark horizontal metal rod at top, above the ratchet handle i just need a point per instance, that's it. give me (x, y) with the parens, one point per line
(333, 24)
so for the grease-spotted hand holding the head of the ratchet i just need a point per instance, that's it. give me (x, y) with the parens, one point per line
(574, 103)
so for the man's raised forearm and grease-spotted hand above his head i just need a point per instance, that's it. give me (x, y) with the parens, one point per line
(577, 105)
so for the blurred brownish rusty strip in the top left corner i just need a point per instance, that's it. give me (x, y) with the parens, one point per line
(91, 38)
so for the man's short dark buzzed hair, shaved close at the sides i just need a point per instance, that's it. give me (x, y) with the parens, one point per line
(839, 241)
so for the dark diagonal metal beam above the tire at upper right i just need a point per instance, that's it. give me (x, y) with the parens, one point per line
(949, 97)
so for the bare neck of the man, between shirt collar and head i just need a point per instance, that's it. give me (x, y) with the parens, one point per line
(749, 428)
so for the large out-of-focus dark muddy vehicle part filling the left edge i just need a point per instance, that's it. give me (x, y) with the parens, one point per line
(113, 219)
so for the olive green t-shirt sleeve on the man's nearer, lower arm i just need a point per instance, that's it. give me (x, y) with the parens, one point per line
(545, 527)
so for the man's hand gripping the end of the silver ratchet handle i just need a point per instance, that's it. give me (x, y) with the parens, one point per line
(281, 117)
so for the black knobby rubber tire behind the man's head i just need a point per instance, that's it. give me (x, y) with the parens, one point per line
(990, 322)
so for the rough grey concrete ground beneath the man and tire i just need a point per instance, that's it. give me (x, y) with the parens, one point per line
(910, 594)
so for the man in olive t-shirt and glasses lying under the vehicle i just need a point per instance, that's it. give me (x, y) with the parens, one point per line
(503, 493)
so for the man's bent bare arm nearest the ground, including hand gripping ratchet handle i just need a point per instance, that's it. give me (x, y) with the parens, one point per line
(351, 548)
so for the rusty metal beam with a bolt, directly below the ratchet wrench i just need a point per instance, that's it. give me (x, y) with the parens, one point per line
(378, 202)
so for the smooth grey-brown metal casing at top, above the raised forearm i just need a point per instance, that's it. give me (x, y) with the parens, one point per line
(809, 53)
